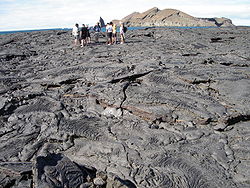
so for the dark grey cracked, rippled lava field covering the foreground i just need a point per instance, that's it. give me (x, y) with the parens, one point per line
(169, 108)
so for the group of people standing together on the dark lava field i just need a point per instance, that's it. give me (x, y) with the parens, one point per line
(82, 34)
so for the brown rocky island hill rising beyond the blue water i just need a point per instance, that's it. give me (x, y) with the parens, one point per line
(171, 17)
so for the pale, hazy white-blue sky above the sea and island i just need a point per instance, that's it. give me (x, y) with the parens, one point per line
(43, 14)
